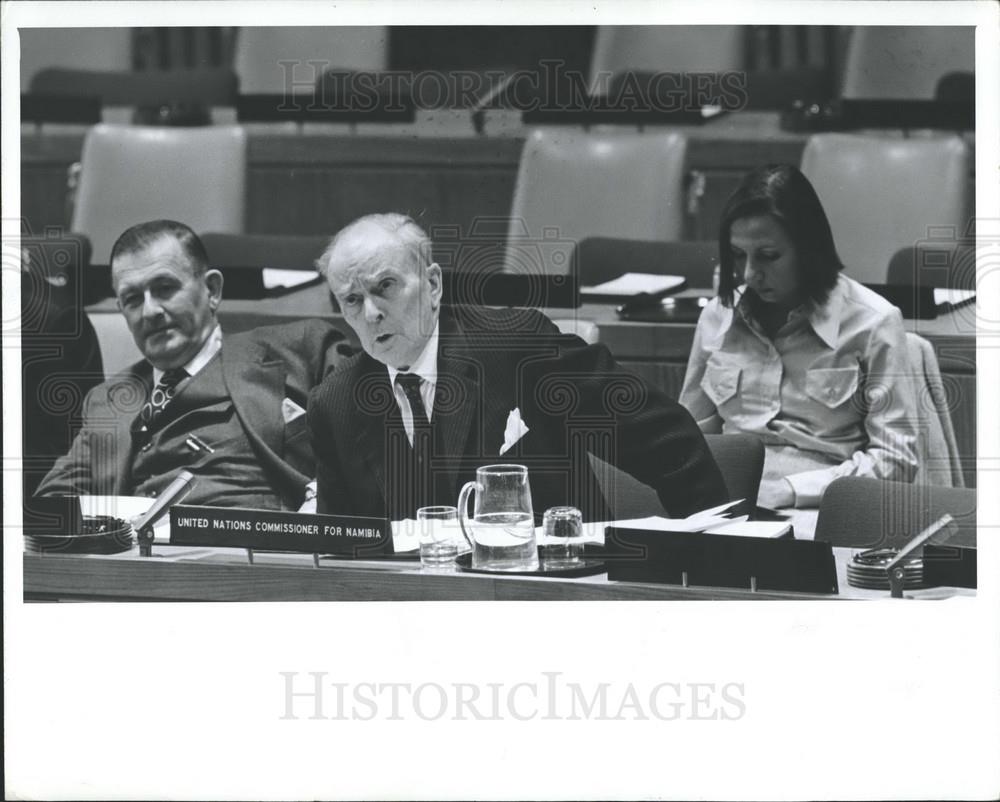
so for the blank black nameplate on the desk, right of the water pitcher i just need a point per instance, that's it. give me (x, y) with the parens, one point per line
(720, 561)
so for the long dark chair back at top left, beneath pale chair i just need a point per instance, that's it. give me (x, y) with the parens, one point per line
(210, 86)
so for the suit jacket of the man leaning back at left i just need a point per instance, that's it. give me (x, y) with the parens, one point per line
(260, 368)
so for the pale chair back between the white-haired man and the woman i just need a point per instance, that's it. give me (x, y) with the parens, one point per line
(572, 184)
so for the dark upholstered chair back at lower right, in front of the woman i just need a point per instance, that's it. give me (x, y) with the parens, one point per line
(869, 513)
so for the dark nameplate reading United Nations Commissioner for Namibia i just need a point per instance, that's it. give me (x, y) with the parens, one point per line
(271, 530)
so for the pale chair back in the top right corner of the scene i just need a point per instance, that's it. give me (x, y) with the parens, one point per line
(904, 62)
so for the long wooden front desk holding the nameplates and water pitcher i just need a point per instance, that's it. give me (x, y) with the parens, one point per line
(188, 574)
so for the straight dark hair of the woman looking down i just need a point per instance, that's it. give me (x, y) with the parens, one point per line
(782, 192)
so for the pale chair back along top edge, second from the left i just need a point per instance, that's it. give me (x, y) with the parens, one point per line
(276, 60)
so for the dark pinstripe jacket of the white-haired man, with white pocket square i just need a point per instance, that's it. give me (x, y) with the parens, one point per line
(574, 398)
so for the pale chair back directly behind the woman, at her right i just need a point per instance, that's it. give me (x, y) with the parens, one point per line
(882, 193)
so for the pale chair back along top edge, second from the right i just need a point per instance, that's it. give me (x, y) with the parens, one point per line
(666, 48)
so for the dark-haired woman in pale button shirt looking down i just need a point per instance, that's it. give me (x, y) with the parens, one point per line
(796, 352)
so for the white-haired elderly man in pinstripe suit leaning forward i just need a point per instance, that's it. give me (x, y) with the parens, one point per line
(437, 393)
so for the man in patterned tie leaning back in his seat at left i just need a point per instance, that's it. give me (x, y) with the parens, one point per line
(228, 408)
